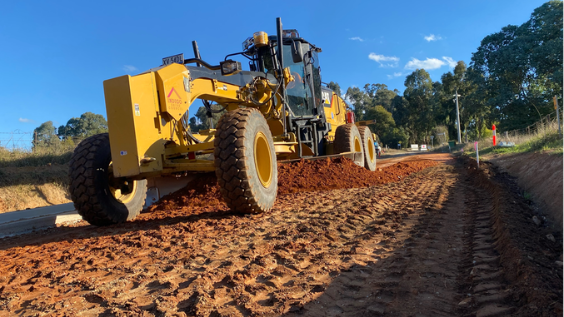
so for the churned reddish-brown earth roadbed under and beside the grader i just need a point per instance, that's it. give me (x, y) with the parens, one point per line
(428, 236)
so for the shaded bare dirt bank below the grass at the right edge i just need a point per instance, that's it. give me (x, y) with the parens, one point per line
(539, 175)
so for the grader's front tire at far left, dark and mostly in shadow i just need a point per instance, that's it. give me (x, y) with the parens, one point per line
(90, 186)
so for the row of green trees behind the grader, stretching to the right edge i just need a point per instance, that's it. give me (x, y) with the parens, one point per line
(509, 82)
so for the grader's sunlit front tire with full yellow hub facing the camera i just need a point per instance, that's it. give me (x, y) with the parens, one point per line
(245, 161)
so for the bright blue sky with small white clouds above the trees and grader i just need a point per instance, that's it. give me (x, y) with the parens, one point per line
(54, 55)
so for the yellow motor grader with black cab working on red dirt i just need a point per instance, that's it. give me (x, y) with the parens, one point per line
(277, 111)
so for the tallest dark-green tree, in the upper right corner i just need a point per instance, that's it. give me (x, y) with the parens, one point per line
(520, 68)
